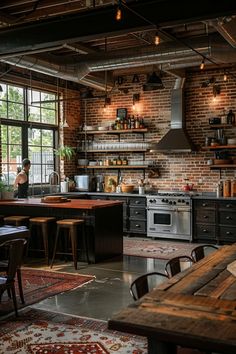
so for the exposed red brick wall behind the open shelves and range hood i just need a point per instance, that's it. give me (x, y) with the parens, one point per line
(154, 107)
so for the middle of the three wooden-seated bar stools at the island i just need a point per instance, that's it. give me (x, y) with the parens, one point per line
(42, 224)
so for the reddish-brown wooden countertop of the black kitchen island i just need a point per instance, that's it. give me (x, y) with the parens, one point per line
(84, 204)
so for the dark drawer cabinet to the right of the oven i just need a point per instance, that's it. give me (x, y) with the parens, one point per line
(214, 221)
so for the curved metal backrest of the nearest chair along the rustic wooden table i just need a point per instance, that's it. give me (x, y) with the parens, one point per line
(145, 283)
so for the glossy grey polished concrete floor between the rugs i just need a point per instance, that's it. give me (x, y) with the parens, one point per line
(107, 293)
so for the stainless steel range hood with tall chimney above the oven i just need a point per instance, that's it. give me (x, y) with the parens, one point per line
(176, 139)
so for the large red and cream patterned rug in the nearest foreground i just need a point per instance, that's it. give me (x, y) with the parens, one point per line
(41, 332)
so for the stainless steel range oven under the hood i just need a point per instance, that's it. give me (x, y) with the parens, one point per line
(169, 217)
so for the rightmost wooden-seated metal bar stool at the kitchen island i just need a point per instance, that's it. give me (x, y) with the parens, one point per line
(72, 226)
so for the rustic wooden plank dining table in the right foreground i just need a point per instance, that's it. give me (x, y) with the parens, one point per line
(196, 308)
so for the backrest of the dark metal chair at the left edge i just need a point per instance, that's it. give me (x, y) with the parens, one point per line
(15, 252)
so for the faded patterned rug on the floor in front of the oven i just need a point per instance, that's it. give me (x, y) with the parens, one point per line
(155, 248)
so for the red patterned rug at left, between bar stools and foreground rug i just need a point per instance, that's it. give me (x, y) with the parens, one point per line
(39, 285)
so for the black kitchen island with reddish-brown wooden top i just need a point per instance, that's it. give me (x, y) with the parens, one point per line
(103, 220)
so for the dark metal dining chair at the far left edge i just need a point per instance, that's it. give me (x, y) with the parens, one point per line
(15, 250)
